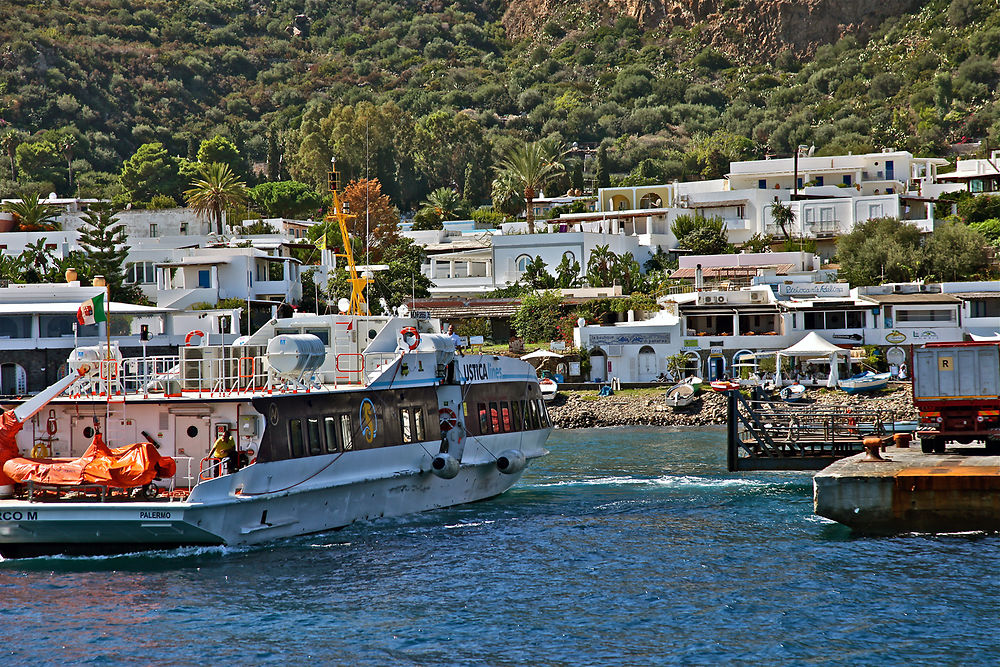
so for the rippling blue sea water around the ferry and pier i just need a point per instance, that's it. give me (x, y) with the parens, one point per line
(623, 547)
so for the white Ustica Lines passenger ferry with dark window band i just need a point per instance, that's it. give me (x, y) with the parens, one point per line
(337, 419)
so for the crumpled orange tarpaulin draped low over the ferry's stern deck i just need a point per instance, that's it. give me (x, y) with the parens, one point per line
(122, 467)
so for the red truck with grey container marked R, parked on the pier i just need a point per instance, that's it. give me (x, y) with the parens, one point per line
(956, 388)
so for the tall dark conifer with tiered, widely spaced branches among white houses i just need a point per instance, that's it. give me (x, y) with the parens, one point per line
(104, 243)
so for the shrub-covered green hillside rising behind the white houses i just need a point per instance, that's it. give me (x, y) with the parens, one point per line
(427, 94)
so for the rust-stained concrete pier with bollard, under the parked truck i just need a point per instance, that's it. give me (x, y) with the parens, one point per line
(911, 492)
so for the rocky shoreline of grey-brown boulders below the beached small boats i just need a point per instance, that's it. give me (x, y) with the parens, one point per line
(585, 409)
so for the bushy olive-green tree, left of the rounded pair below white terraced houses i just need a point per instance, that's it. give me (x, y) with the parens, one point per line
(879, 250)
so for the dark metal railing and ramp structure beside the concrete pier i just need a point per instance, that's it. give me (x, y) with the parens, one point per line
(773, 435)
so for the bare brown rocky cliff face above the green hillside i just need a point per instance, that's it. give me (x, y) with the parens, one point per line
(765, 27)
